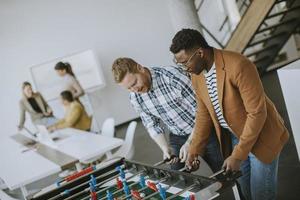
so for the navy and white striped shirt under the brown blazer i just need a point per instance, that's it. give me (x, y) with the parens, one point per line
(211, 83)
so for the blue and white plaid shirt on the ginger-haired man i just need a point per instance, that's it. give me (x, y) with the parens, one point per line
(170, 99)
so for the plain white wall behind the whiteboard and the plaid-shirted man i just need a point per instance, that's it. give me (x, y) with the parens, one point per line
(33, 31)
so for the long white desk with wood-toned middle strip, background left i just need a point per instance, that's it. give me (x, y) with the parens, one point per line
(18, 169)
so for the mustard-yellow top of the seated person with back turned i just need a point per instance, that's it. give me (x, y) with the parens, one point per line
(75, 117)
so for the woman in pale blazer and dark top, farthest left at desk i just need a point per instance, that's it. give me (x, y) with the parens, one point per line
(36, 106)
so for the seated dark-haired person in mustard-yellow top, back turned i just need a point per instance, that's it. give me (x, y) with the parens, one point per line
(75, 116)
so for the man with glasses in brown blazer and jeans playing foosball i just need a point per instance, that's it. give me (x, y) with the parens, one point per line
(230, 97)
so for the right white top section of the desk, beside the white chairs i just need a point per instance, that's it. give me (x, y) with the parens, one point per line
(84, 145)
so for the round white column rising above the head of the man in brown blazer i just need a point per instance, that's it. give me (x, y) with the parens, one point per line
(184, 14)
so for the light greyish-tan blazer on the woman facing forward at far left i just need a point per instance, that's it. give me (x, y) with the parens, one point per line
(26, 107)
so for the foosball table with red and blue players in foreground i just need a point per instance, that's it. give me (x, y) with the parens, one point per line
(124, 180)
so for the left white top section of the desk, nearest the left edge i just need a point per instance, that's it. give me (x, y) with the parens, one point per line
(18, 169)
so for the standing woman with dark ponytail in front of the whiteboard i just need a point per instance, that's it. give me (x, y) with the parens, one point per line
(64, 70)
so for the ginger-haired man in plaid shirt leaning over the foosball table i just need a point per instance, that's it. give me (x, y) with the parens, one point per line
(164, 94)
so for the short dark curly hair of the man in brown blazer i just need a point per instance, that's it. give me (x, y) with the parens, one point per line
(187, 39)
